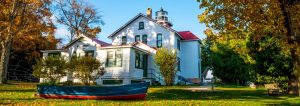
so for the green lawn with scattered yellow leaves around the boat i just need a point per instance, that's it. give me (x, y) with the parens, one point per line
(23, 94)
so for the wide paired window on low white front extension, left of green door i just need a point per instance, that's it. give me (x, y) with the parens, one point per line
(114, 58)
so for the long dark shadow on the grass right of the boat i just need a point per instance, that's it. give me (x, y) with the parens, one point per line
(236, 95)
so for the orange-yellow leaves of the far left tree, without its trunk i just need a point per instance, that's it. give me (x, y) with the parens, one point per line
(30, 20)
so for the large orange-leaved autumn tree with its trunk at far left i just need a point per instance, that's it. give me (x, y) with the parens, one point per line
(25, 25)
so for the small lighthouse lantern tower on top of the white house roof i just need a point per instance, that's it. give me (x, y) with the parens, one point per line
(161, 17)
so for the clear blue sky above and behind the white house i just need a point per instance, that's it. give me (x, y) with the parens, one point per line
(115, 13)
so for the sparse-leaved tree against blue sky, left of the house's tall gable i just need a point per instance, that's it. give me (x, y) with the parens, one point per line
(79, 17)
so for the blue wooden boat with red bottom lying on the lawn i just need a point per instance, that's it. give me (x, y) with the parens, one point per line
(132, 91)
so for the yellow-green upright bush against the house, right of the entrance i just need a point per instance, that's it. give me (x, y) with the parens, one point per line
(167, 62)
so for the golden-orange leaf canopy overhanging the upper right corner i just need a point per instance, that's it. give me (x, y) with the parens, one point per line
(260, 17)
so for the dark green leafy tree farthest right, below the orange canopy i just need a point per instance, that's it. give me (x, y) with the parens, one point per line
(273, 65)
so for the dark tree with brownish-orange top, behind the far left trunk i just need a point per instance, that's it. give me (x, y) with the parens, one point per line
(25, 50)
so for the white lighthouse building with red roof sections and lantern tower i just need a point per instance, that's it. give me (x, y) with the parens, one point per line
(129, 58)
